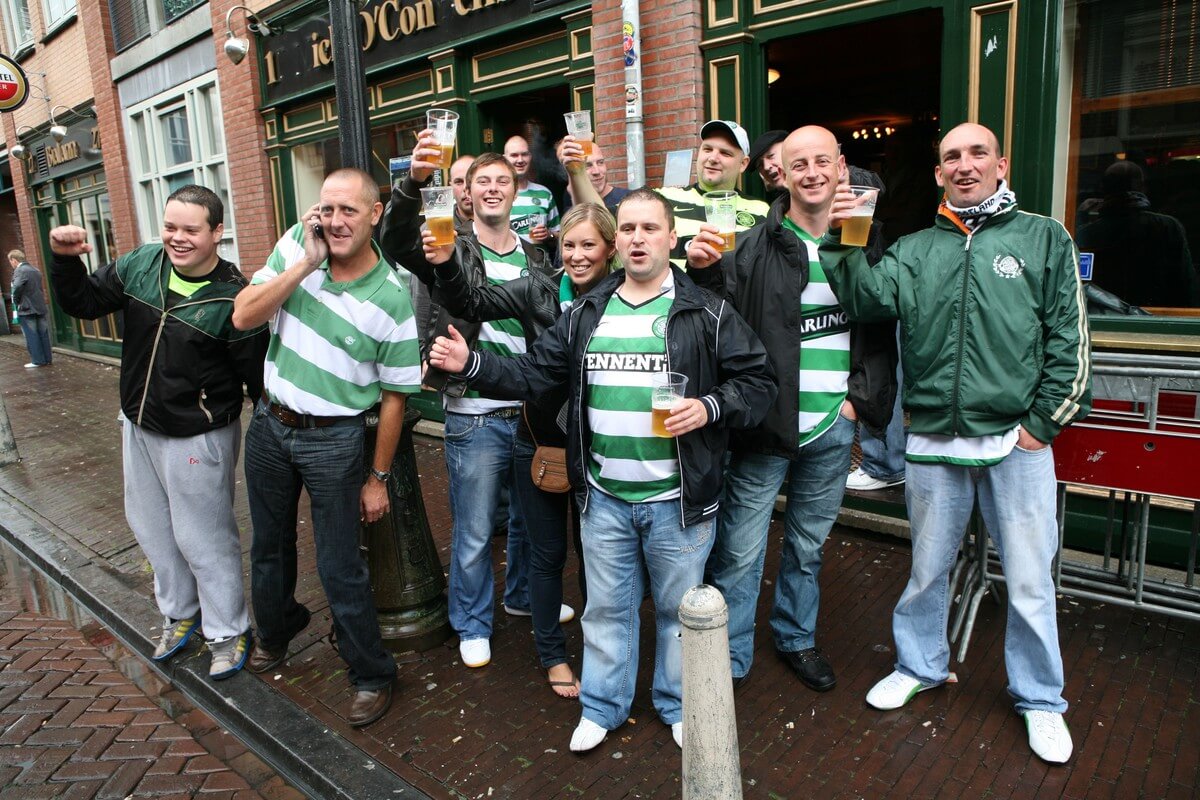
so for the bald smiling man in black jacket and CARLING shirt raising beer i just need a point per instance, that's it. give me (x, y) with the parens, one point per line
(831, 375)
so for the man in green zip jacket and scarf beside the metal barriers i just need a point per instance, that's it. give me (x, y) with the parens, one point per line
(997, 360)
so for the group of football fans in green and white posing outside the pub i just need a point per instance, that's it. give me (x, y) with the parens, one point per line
(545, 333)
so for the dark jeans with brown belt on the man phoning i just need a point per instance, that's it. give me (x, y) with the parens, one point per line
(328, 465)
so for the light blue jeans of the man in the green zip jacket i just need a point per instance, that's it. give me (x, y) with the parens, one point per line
(1017, 498)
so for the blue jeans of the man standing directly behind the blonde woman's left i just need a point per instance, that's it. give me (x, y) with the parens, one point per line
(479, 462)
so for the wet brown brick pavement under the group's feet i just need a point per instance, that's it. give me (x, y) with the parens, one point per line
(500, 732)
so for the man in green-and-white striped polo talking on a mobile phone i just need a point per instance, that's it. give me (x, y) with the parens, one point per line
(343, 340)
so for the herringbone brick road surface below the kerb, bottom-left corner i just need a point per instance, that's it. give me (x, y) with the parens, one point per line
(73, 726)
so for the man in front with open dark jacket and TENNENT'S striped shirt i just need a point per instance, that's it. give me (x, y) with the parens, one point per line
(646, 502)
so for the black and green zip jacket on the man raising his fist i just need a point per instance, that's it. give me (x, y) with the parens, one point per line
(183, 365)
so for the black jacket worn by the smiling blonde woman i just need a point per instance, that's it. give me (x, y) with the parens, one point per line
(533, 300)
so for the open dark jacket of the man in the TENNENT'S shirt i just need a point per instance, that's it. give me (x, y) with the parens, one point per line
(706, 340)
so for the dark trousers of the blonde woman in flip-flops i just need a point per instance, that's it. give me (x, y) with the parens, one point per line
(547, 519)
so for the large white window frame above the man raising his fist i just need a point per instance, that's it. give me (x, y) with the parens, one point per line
(149, 161)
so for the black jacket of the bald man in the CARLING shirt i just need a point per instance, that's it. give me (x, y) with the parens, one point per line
(764, 279)
